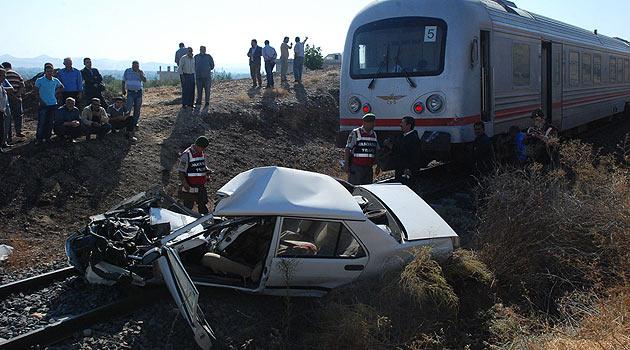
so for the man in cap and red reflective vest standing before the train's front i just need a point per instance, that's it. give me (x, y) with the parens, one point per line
(361, 151)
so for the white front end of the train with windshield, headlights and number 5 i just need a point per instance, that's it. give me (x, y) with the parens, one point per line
(414, 58)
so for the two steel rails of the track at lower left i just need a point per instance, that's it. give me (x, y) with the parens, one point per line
(57, 331)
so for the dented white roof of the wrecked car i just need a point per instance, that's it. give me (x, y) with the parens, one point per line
(287, 192)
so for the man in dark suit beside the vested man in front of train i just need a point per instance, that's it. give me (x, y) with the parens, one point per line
(405, 152)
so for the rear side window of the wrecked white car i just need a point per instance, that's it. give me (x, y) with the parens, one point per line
(315, 238)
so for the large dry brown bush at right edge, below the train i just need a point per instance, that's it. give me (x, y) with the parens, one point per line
(548, 232)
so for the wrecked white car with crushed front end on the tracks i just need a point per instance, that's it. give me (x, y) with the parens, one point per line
(273, 231)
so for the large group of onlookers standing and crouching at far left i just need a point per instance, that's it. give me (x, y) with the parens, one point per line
(71, 103)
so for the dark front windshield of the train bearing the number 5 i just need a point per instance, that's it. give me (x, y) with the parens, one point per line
(398, 47)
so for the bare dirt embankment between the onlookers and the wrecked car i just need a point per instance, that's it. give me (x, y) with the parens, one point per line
(47, 192)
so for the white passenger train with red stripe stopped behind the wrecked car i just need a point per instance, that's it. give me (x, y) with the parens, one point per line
(451, 63)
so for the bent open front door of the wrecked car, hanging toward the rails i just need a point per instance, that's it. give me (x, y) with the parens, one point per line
(186, 296)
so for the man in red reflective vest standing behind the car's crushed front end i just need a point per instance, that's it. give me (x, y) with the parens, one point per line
(194, 174)
